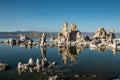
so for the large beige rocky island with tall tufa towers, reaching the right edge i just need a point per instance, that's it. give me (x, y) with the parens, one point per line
(72, 37)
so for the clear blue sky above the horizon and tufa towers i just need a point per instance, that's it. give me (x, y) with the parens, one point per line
(49, 15)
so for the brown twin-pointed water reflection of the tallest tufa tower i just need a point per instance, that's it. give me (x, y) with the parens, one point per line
(70, 51)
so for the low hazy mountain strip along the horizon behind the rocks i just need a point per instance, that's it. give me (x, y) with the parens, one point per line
(34, 34)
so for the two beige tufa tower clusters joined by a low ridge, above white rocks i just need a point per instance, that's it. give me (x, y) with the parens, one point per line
(72, 34)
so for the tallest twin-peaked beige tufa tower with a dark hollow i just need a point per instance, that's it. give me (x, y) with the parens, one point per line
(69, 35)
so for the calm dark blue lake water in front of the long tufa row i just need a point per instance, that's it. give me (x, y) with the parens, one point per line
(72, 63)
